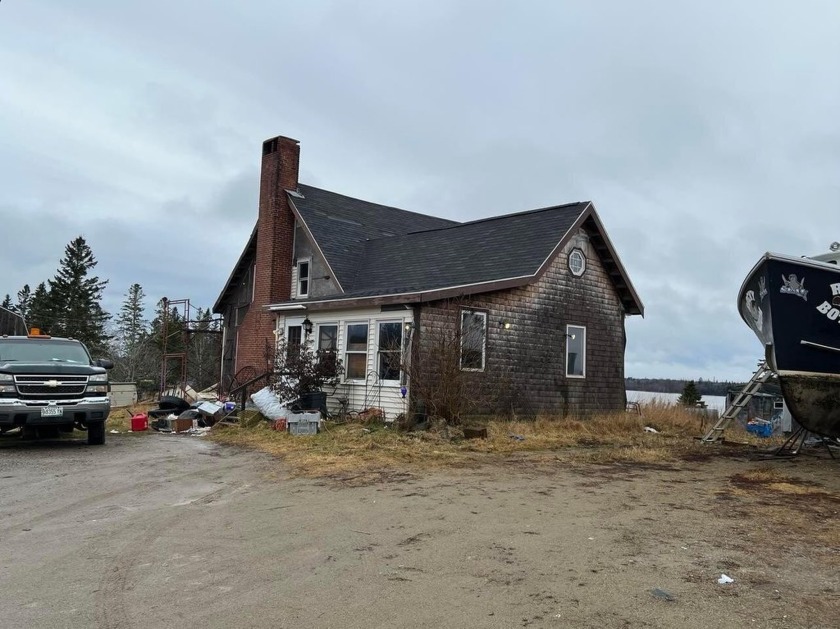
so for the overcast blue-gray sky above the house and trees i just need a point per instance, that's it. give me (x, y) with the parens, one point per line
(705, 133)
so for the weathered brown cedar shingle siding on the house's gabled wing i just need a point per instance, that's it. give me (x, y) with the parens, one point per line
(525, 364)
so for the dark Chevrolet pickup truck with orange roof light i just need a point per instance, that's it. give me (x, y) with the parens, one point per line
(50, 385)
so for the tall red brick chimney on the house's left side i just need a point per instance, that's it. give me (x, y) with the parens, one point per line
(275, 244)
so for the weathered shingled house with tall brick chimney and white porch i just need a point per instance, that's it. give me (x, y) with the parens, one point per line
(521, 313)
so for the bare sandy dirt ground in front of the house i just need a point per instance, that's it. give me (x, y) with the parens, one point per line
(172, 530)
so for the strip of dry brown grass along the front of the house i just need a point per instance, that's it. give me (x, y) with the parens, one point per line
(366, 451)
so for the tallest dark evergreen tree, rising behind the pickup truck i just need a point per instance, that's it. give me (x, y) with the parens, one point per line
(76, 296)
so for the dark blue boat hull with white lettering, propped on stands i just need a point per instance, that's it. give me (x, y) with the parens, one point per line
(793, 307)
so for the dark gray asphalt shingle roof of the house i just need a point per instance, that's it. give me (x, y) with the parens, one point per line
(376, 249)
